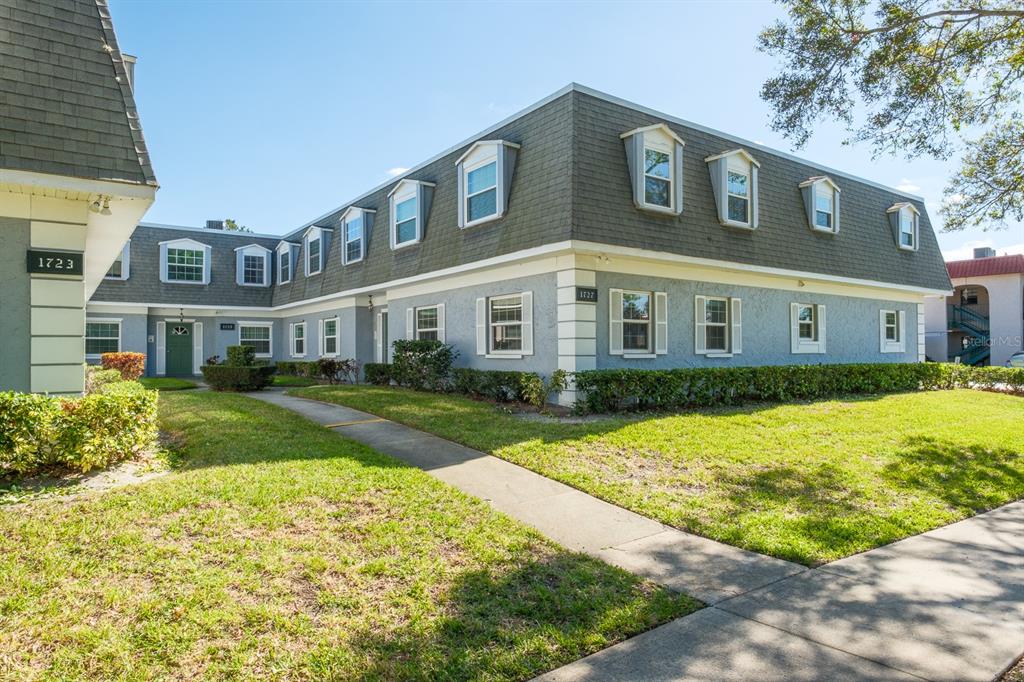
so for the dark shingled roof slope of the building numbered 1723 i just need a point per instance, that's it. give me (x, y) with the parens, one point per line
(65, 111)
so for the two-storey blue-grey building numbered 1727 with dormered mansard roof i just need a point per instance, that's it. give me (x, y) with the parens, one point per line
(582, 233)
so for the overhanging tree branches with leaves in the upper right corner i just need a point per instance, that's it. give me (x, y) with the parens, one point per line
(913, 78)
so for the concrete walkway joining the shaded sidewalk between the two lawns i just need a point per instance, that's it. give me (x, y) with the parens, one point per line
(945, 606)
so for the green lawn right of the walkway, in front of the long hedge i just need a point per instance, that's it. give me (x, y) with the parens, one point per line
(806, 483)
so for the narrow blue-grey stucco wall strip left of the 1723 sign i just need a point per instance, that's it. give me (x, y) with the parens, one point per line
(16, 307)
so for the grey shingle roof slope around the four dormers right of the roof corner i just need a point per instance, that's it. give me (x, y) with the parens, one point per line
(865, 247)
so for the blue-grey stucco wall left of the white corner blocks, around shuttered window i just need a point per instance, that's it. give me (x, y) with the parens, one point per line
(460, 322)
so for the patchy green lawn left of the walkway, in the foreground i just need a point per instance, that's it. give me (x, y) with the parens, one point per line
(279, 550)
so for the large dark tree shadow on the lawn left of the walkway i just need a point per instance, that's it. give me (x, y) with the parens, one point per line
(513, 625)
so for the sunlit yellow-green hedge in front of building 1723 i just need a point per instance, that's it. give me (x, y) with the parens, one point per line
(81, 434)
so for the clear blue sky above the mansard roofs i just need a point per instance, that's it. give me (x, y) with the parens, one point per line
(275, 113)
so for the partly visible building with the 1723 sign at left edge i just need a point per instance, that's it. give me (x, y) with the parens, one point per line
(75, 180)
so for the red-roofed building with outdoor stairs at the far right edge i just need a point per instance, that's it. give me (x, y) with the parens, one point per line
(983, 322)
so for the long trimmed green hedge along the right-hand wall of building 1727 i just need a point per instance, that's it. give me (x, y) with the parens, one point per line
(615, 391)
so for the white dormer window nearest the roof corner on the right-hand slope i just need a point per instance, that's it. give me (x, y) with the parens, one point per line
(655, 157)
